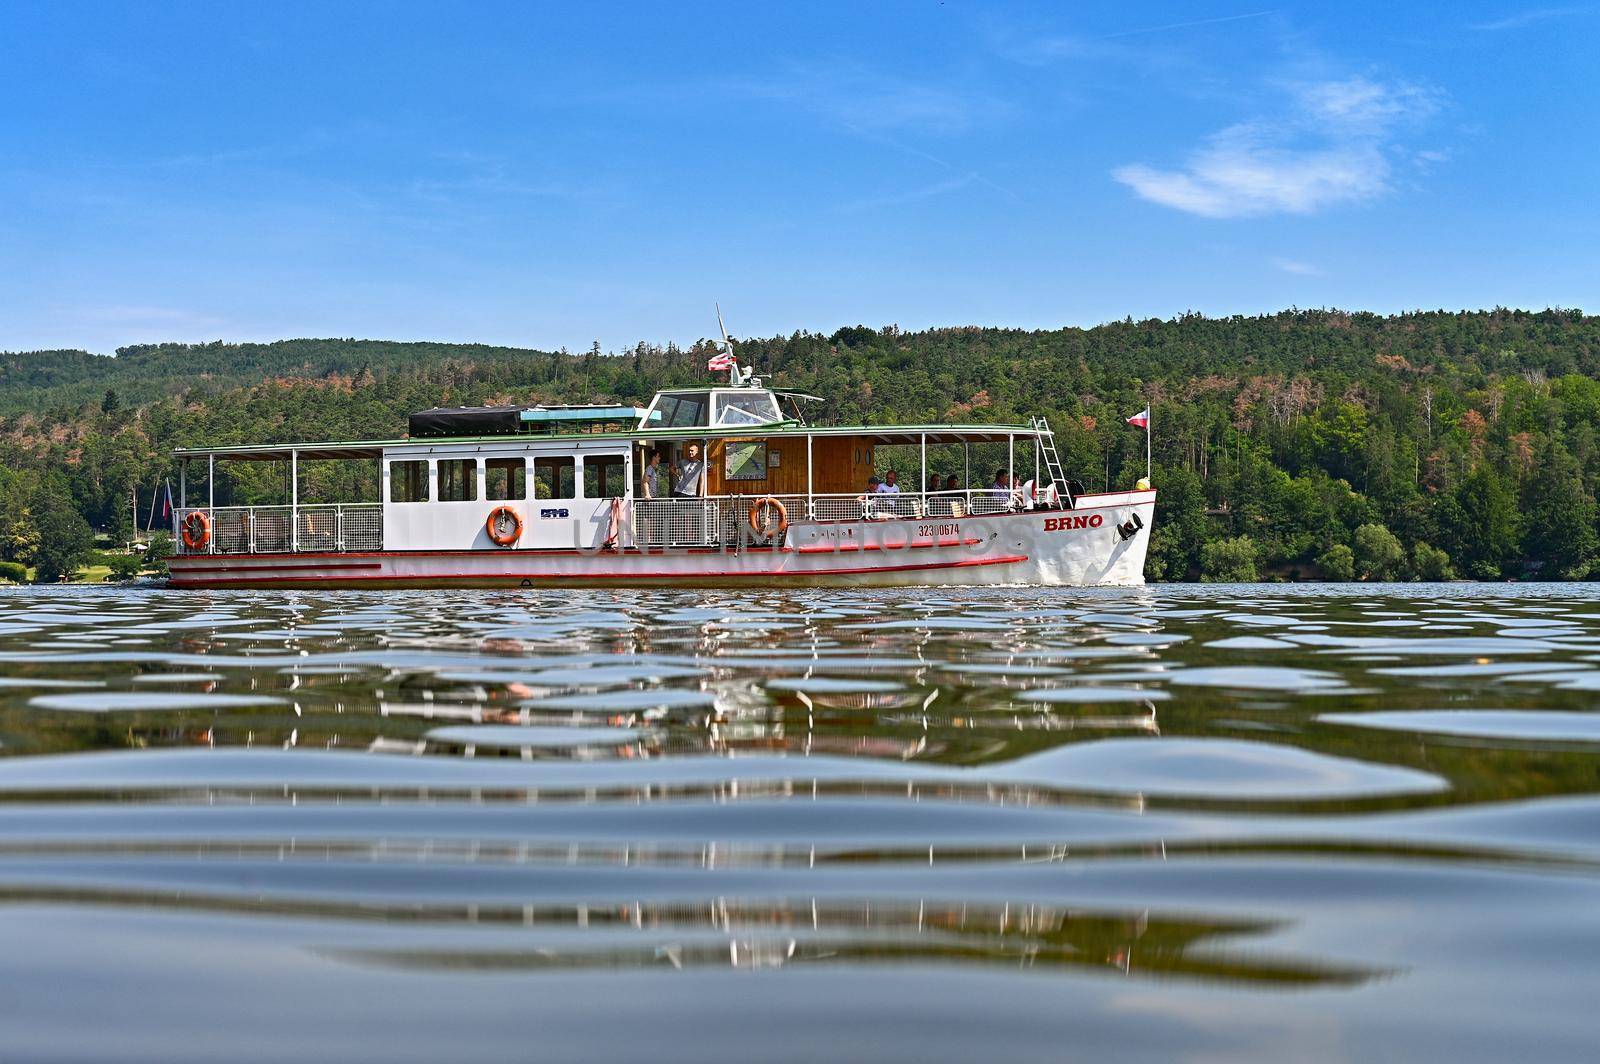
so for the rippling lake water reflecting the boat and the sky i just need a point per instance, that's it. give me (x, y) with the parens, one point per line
(1014, 825)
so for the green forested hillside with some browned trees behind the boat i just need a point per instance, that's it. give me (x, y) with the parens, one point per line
(1300, 444)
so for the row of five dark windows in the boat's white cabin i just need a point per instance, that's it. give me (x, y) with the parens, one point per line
(506, 479)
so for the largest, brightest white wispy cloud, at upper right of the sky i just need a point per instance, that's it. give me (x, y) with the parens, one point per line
(1332, 145)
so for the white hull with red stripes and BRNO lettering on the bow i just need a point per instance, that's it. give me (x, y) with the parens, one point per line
(1082, 546)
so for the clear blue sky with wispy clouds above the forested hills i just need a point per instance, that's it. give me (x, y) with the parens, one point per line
(548, 175)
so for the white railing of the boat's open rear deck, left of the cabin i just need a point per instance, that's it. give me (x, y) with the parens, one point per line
(332, 527)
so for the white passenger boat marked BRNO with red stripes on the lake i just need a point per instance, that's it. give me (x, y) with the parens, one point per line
(532, 497)
